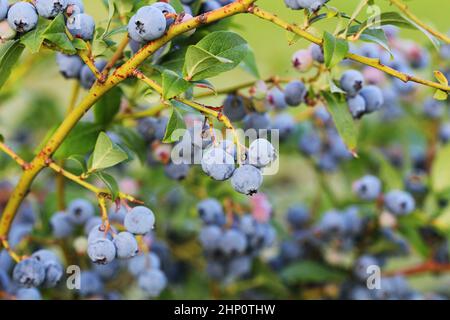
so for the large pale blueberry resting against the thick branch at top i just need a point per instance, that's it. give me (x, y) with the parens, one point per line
(149, 23)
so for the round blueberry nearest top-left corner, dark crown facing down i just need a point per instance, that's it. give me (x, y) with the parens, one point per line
(22, 17)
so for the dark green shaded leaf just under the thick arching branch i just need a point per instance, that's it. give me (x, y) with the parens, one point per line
(107, 107)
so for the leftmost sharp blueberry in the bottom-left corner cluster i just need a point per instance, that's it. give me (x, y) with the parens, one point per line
(29, 273)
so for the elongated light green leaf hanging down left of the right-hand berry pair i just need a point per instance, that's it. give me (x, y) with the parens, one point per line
(342, 119)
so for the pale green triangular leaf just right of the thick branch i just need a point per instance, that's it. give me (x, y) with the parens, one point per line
(106, 154)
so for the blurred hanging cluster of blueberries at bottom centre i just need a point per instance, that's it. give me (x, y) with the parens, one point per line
(230, 242)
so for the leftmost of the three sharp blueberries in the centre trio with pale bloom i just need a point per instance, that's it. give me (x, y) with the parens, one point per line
(218, 164)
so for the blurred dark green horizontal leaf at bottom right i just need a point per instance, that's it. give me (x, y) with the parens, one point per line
(310, 271)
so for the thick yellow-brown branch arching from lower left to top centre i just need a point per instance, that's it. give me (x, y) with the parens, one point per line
(100, 89)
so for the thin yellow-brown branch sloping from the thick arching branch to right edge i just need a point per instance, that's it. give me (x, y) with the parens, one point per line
(375, 63)
